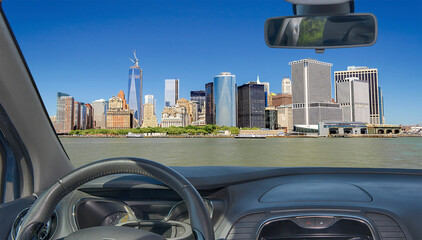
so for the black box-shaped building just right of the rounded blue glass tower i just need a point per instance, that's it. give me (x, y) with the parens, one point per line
(251, 105)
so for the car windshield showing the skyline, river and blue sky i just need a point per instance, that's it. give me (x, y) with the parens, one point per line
(192, 83)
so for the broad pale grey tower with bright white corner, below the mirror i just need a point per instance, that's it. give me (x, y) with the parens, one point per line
(311, 94)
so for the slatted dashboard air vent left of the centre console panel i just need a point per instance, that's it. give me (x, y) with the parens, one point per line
(244, 228)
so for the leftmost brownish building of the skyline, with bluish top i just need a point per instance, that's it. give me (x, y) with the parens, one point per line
(65, 113)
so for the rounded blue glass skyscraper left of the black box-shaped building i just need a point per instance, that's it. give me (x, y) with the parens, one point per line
(225, 99)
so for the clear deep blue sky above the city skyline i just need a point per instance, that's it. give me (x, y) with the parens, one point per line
(82, 47)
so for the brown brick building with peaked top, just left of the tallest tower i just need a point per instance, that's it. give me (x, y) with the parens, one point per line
(118, 114)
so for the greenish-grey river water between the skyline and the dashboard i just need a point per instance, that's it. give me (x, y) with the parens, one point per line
(276, 152)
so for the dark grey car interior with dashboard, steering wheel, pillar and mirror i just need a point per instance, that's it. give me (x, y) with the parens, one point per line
(134, 198)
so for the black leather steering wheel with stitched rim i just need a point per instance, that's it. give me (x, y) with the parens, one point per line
(43, 208)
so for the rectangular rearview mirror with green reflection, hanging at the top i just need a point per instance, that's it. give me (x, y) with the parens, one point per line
(321, 32)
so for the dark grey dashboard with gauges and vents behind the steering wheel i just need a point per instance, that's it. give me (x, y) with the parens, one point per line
(254, 204)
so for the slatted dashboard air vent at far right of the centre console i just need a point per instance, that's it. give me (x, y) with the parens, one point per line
(386, 226)
